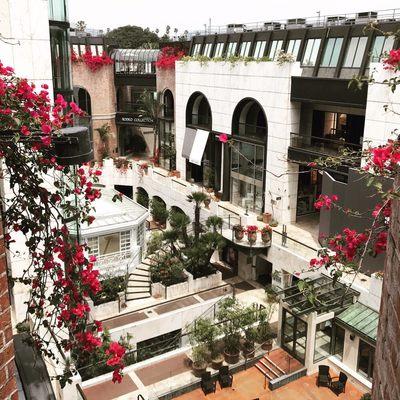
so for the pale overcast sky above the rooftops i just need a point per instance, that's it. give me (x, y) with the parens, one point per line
(193, 15)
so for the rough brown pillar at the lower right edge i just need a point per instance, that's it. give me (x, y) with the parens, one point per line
(386, 383)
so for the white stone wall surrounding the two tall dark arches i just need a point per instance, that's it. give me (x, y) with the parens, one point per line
(225, 86)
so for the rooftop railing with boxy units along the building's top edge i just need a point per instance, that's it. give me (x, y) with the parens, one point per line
(316, 21)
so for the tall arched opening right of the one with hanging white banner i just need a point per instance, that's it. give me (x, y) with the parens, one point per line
(248, 156)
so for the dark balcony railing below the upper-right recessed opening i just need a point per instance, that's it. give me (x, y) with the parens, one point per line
(321, 145)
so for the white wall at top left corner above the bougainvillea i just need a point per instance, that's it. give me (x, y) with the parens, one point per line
(24, 25)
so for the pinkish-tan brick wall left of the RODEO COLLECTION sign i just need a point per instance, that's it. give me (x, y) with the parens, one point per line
(100, 86)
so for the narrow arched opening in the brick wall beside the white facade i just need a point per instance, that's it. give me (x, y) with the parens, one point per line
(167, 132)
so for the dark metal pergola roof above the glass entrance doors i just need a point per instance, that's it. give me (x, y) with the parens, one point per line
(329, 295)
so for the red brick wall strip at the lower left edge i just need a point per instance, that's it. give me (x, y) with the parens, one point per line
(8, 386)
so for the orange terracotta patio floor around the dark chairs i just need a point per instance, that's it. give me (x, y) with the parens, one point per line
(249, 385)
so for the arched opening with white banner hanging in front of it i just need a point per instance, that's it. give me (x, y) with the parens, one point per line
(199, 117)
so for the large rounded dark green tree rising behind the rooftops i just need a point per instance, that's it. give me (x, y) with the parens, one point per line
(133, 37)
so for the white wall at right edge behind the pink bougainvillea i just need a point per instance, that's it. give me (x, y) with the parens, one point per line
(379, 124)
